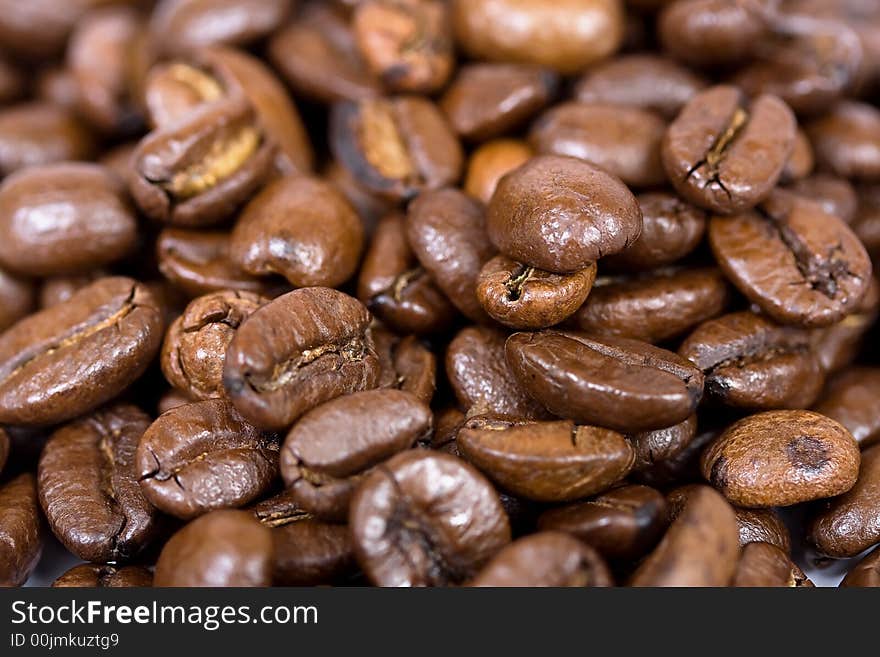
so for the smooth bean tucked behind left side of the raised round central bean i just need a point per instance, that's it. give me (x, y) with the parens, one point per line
(447, 232)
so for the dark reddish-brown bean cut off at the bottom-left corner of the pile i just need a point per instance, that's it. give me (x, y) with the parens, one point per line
(21, 529)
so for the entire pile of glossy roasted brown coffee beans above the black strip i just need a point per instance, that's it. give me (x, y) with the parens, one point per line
(439, 292)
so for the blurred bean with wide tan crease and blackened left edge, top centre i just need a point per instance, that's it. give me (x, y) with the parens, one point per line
(396, 147)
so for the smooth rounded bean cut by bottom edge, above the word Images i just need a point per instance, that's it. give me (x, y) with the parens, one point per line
(221, 548)
